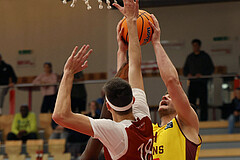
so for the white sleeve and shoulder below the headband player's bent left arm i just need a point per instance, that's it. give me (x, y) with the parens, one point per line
(113, 135)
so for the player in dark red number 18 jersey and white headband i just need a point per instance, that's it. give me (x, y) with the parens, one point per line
(129, 135)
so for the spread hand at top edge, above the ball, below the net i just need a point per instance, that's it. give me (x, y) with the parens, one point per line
(130, 9)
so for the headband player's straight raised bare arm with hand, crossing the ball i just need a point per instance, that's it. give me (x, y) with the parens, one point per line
(130, 11)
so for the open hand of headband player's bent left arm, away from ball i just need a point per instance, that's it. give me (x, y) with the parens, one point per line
(78, 60)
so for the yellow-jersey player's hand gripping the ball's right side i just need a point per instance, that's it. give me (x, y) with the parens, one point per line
(156, 30)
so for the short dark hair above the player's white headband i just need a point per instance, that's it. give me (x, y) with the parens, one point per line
(118, 92)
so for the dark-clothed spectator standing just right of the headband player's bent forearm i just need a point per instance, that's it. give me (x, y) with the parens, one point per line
(79, 94)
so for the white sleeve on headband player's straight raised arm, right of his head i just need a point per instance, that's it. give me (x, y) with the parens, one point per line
(140, 106)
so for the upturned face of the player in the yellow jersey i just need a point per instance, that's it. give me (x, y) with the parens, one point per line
(166, 107)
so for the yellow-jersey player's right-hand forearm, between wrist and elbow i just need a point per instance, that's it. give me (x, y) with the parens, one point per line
(167, 70)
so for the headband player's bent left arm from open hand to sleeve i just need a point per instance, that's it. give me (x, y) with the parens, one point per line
(62, 112)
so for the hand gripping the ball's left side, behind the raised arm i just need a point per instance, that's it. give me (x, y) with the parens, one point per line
(122, 46)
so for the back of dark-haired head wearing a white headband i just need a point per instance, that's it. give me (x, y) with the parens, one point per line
(119, 96)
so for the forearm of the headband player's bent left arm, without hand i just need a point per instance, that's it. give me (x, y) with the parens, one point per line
(63, 103)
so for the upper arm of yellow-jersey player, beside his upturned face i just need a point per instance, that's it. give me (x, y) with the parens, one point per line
(186, 113)
